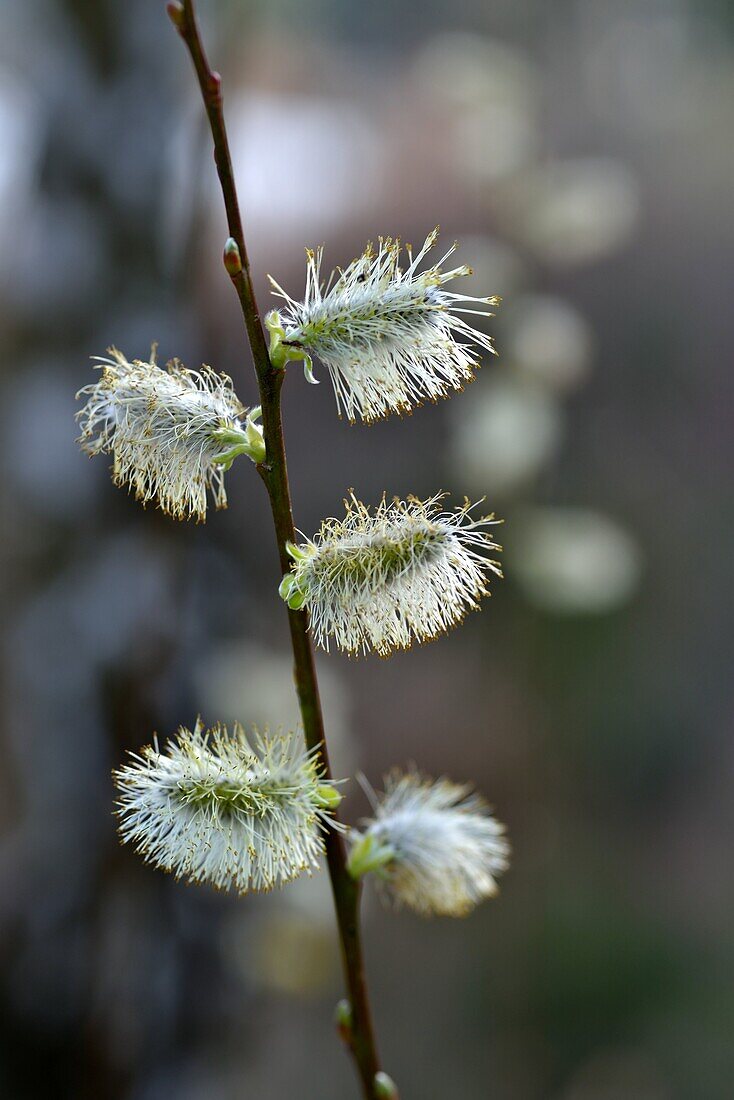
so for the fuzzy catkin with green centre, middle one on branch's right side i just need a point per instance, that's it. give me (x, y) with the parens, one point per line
(381, 580)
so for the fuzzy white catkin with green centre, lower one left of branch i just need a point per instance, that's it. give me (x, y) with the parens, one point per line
(214, 808)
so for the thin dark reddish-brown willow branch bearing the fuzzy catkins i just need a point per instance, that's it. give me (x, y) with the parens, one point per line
(276, 476)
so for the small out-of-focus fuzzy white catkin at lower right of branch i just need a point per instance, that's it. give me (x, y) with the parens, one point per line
(444, 846)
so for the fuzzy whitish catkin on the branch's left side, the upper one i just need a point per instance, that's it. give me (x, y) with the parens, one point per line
(168, 432)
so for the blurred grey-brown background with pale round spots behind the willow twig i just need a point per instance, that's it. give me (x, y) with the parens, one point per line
(582, 153)
